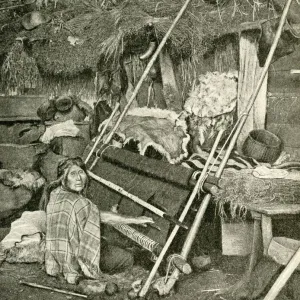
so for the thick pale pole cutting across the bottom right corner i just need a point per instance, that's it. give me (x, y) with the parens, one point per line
(284, 276)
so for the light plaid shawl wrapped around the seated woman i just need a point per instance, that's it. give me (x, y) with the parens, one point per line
(73, 236)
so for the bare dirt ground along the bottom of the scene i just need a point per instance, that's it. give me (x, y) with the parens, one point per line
(200, 286)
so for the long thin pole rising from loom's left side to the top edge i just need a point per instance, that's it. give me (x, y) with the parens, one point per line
(147, 70)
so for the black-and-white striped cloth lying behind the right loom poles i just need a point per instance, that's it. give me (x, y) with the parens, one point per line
(236, 161)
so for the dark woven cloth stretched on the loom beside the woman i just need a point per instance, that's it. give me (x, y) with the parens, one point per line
(168, 186)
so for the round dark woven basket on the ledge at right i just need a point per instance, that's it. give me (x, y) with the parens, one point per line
(262, 145)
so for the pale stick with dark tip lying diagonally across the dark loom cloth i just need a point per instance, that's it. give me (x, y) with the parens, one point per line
(136, 199)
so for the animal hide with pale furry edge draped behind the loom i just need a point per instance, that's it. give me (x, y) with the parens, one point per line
(161, 129)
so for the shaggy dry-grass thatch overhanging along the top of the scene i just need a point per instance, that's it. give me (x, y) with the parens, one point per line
(106, 31)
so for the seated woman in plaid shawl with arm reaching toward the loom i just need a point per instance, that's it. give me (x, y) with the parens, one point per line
(73, 240)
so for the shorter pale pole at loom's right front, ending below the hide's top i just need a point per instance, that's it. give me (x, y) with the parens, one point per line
(190, 201)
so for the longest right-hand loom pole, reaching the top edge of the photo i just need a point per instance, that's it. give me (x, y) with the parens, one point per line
(198, 219)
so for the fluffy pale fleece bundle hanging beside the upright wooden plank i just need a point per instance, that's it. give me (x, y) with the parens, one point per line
(211, 104)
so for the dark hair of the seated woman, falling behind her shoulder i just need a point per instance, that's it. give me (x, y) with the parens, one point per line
(62, 173)
